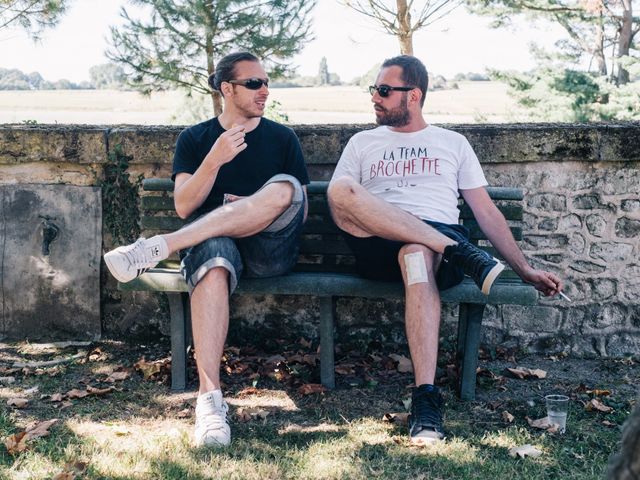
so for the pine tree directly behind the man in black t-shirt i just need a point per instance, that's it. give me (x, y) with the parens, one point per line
(183, 40)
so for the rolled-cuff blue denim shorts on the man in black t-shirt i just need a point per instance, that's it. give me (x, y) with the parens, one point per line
(274, 251)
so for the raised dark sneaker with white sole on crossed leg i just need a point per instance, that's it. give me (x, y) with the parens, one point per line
(478, 264)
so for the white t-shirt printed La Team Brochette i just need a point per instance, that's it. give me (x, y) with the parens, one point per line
(420, 172)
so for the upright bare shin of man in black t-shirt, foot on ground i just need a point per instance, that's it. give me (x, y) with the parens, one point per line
(210, 322)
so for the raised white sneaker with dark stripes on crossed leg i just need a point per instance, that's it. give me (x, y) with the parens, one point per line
(130, 261)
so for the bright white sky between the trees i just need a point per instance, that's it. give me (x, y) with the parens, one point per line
(459, 42)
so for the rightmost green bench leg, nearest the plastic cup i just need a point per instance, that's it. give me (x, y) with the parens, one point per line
(468, 347)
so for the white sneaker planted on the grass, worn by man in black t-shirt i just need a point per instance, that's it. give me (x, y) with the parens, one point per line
(212, 428)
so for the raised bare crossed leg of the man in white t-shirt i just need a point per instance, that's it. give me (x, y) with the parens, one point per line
(362, 214)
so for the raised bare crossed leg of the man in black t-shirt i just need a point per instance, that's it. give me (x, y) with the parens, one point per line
(242, 218)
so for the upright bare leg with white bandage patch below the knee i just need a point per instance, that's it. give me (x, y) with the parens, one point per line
(422, 315)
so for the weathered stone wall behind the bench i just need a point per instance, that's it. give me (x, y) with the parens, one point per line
(582, 220)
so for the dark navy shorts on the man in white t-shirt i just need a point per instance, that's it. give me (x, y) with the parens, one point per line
(377, 258)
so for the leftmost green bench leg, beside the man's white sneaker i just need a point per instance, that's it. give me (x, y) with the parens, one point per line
(178, 306)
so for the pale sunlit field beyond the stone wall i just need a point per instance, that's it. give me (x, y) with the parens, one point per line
(472, 102)
